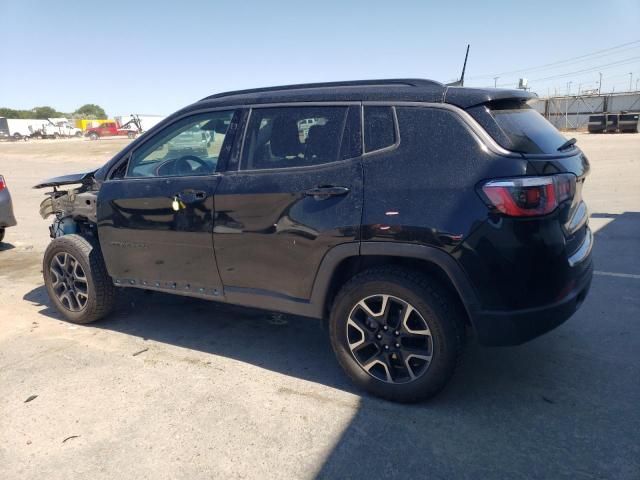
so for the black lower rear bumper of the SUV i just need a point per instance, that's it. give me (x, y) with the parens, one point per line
(503, 328)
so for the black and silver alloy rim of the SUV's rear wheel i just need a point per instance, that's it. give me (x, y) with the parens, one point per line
(389, 339)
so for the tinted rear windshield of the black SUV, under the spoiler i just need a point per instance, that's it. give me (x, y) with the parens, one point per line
(521, 128)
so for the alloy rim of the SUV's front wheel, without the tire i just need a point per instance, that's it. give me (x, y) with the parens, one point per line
(69, 282)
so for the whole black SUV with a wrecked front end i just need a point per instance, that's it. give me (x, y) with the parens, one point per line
(403, 211)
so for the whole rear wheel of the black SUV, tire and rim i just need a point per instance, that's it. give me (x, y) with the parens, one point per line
(396, 333)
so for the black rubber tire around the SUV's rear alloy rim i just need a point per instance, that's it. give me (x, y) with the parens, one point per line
(435, 306)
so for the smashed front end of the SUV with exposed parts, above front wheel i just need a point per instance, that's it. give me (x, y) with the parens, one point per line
(74, 208)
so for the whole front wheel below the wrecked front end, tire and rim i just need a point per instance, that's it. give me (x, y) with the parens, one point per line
(77, 280)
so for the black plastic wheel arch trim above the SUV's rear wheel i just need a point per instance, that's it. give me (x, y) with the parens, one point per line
(344, 261)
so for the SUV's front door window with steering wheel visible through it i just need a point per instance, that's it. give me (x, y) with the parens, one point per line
(191, 146)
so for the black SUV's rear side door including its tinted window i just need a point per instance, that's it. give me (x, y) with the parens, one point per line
(295, 192)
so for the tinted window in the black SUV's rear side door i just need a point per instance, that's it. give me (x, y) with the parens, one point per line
(296, 137)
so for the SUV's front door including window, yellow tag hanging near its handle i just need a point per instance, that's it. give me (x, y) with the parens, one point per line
(155, 222)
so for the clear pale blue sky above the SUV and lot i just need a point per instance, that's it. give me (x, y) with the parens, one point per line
(155, 57)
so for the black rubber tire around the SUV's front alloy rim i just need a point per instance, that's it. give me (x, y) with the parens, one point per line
(100, 292)
